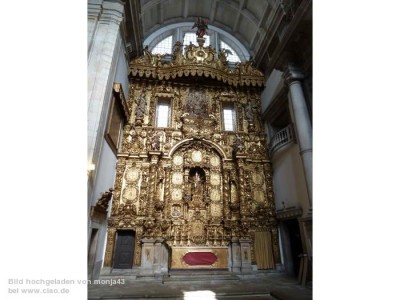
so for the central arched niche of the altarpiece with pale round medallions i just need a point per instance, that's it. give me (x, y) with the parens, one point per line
(196, 205)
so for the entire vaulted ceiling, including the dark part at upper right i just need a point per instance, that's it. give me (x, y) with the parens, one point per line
(264, 27)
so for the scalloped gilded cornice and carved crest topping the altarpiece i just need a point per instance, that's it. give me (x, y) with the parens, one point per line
(196, 61)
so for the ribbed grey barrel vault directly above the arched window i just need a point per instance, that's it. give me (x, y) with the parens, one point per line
(245, 19)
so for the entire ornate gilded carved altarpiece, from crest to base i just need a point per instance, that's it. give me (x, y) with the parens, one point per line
(192, 184)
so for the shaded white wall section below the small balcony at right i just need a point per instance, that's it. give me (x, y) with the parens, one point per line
(288, 178)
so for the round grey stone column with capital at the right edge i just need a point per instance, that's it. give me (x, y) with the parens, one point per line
(302, 122)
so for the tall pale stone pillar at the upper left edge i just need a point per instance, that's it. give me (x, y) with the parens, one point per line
(104, 35)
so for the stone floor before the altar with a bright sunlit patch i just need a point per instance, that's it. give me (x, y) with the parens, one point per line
(203, 287)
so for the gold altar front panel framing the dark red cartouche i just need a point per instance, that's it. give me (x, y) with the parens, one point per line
(178, 253)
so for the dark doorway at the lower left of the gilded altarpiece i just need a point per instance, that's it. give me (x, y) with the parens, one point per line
(124, 249)
